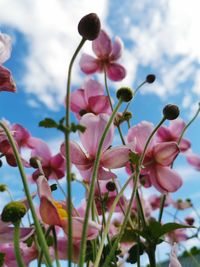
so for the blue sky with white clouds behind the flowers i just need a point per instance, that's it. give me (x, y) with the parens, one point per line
(160, 37)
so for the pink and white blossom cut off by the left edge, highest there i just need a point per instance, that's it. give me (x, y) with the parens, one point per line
(6, 80)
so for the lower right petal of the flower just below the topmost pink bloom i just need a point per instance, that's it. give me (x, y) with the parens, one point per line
(99, 104)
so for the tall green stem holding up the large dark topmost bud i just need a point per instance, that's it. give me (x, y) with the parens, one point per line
(67, 149)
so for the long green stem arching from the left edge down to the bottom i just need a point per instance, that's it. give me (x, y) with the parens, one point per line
(38, 228)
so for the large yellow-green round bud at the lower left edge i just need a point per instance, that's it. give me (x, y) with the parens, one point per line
(13, 212)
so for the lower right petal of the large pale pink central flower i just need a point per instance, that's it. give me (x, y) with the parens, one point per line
(115, 157)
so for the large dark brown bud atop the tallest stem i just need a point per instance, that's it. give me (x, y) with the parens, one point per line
(89, 26)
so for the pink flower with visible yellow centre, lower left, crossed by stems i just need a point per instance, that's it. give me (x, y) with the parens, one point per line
(54, 212)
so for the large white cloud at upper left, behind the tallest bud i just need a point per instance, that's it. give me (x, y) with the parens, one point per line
(50, 28)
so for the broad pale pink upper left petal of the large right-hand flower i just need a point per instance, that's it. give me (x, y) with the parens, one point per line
(139, 134)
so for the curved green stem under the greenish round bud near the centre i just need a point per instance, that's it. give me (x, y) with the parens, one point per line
(92, 186)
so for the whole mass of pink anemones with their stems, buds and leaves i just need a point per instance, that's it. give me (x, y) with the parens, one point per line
(110, 227)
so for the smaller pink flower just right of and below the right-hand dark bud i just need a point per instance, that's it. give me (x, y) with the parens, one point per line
(172, 133)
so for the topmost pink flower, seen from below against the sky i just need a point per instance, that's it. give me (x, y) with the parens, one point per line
(107, 55)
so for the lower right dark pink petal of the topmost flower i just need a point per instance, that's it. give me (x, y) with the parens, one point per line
(115, 72)
